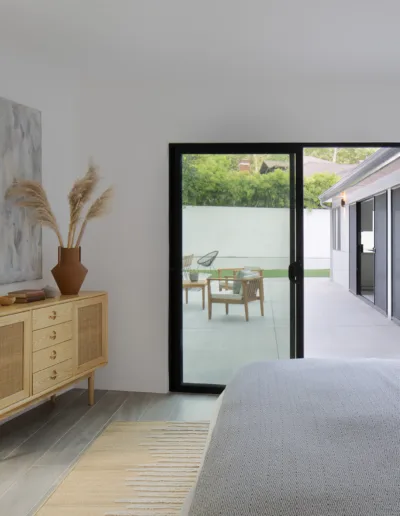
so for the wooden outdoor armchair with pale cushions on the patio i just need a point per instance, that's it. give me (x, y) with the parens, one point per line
(246, 289)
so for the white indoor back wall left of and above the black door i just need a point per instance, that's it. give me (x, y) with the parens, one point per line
(127, 127)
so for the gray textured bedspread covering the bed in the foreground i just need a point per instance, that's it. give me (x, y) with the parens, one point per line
(305, 437)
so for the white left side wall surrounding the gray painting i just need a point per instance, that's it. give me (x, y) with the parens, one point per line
(53, 92)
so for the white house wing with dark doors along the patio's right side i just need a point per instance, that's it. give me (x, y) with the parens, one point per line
(365, 231)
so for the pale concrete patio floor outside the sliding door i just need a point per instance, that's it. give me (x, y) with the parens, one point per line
(337, 324)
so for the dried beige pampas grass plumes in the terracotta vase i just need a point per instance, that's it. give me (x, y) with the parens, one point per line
(31, 195)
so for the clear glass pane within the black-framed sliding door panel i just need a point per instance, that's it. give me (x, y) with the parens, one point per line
(236, 242)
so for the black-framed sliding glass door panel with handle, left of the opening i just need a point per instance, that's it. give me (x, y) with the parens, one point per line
(236, 275)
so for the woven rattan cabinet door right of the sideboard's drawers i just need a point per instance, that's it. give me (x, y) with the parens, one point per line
(90, 331)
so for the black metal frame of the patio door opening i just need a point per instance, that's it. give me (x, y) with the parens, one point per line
(175, 240)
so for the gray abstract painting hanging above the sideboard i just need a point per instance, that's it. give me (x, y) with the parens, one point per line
(21, 158)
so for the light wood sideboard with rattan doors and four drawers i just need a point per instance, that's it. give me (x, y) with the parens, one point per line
(46, 346)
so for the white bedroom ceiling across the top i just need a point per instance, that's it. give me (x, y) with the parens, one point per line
(204, 39)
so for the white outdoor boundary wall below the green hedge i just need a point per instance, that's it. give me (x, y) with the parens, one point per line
(254, 236)
